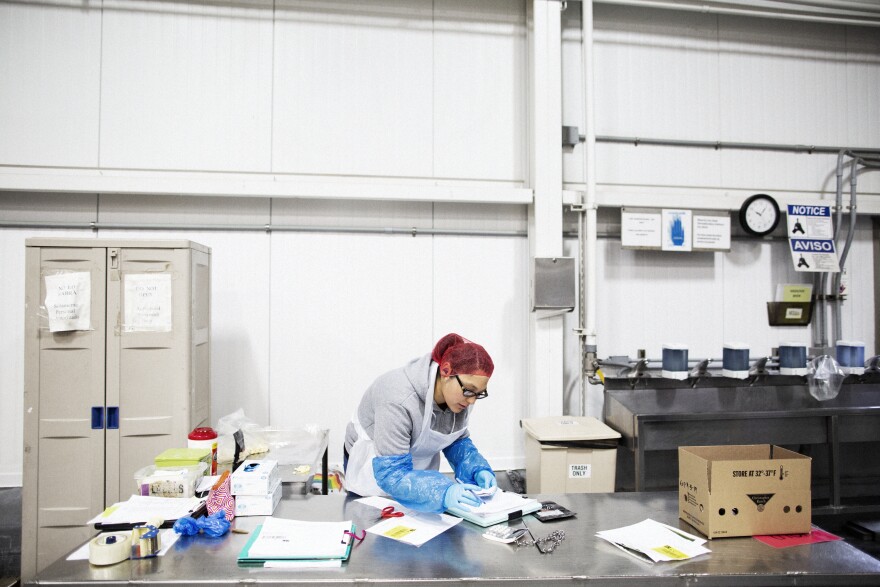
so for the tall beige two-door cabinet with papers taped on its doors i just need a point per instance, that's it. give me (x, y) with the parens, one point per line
(117, 369)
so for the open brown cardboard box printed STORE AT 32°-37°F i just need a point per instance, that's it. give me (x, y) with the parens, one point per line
(744, 490)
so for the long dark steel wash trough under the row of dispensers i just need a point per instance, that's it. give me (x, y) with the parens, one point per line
(661, 415)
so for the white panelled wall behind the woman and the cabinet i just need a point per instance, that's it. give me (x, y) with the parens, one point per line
(399, 112)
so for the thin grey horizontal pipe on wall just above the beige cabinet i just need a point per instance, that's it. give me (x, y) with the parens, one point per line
(414, 231)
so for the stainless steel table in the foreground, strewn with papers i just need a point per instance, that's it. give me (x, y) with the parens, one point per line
(462, 556)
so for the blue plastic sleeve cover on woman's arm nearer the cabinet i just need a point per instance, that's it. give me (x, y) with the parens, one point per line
(419, 490)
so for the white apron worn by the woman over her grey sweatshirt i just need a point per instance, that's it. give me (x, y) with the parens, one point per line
(425, 451)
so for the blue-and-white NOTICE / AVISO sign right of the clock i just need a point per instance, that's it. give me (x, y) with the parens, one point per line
(810, 233)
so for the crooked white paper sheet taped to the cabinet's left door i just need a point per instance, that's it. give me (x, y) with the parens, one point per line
(69, 301)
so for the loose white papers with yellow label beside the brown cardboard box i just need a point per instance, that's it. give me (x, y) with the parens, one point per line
(655, 541)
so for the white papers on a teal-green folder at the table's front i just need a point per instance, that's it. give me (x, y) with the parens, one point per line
(280, 542)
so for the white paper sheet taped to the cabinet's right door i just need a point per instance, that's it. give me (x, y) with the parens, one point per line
(147, 302)
